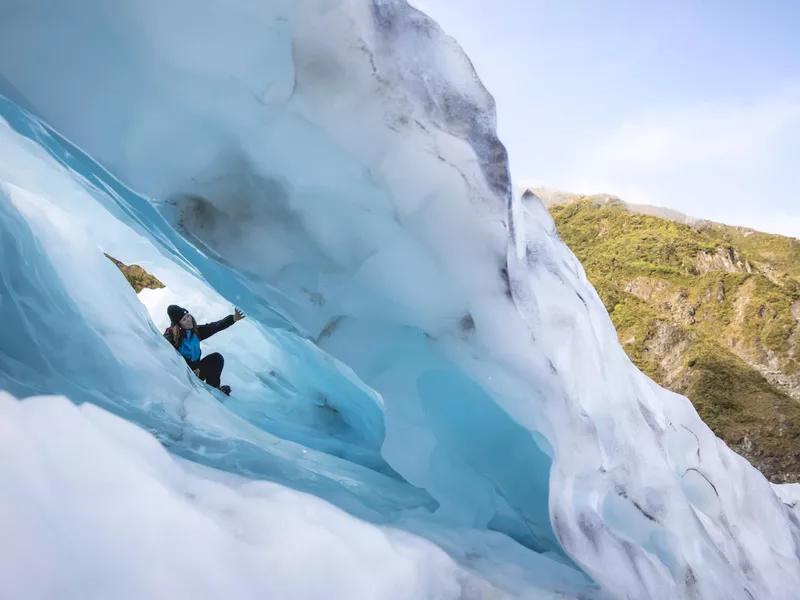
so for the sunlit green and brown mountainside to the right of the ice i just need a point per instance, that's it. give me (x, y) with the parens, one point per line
(706, 310)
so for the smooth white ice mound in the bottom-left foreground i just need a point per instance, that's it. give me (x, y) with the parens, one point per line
(93, 507)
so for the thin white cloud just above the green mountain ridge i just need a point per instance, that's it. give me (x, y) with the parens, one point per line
(725, 161)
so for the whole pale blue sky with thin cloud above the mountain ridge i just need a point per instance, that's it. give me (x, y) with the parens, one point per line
(691, 105)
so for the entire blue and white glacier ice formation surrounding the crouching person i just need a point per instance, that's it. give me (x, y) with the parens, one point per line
(430, 398)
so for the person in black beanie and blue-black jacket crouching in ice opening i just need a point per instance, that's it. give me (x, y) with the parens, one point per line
(185, 336)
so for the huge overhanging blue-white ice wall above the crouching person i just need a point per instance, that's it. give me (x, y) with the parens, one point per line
(338, 162)
